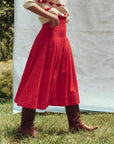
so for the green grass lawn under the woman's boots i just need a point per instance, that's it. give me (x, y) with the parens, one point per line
(54, 128)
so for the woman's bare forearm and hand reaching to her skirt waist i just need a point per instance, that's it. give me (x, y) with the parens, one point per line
(54, 21)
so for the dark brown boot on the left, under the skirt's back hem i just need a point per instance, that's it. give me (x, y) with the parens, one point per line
(27, 126)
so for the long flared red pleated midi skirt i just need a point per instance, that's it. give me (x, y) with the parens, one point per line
(49, 77)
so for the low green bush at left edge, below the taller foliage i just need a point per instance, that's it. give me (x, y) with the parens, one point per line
(6, 84)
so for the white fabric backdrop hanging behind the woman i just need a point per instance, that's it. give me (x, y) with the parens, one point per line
(91, 33)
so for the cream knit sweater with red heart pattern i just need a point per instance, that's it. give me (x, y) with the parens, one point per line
(53, 6)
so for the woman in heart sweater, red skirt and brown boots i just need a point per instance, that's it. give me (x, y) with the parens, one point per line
(49, 76)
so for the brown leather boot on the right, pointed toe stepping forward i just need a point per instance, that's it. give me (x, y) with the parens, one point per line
(74, 120)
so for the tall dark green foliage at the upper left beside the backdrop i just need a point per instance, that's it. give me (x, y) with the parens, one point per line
(6, 29)
